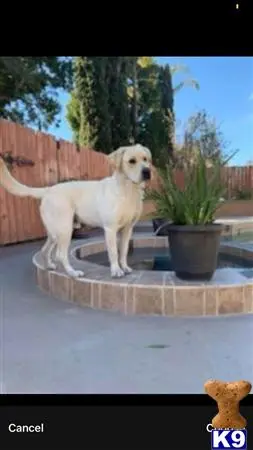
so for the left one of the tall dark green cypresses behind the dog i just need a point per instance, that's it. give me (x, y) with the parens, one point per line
(98, 111)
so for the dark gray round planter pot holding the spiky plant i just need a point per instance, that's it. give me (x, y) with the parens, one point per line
(194, 250)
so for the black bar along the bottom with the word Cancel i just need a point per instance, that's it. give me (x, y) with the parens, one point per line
(113, 422)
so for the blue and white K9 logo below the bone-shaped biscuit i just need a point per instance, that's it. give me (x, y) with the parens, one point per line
(227, 439)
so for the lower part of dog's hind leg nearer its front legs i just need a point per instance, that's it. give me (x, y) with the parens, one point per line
(63, 242)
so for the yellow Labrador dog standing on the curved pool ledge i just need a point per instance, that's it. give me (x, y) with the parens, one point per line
(114, 203)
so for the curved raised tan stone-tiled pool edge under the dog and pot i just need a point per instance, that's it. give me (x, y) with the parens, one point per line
(146, 292)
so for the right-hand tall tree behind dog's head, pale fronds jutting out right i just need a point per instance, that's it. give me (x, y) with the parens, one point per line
(152, 96)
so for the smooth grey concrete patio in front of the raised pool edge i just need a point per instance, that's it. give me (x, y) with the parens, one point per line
(50, 346)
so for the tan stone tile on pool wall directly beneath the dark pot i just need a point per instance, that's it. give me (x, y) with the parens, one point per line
(189, 301)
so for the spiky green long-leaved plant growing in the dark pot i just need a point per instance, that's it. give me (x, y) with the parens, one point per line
(197, 203)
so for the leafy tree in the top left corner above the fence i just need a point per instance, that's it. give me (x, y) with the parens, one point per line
(29, 88)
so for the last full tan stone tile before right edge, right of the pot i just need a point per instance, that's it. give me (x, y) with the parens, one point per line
(230, 300)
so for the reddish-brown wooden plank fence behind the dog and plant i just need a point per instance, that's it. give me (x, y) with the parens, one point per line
(40, 160)
